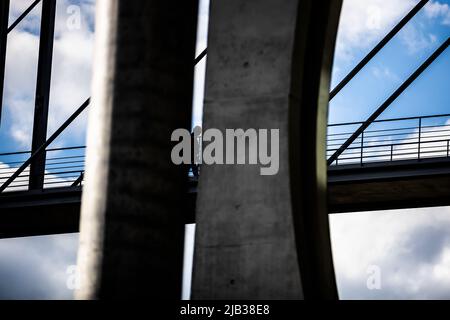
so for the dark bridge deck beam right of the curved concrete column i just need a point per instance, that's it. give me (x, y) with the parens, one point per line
(392, 185)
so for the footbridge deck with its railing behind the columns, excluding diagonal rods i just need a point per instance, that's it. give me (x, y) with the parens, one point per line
(395, 163)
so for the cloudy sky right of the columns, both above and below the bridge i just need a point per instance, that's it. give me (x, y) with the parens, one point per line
(410, 247)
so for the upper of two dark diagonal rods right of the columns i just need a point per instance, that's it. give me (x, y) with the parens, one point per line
(377, 48)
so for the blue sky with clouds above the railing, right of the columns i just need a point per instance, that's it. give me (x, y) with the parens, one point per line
(393, 65)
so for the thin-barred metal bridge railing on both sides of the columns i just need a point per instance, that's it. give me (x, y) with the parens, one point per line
(413, 138)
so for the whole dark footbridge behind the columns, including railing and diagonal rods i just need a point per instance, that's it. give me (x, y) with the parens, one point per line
(372, 165)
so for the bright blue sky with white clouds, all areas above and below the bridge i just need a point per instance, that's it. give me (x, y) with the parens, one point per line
(410, 249)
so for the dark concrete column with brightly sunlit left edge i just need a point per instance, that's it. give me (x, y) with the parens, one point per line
(131, 242)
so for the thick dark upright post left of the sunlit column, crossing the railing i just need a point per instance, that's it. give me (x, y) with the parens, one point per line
(37, 167)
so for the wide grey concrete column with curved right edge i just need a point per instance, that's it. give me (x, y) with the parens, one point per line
(267, 237)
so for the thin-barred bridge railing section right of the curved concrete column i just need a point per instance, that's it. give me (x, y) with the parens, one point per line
(413, 138)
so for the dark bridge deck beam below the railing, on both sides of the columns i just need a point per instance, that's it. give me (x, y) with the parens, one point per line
(351, 188)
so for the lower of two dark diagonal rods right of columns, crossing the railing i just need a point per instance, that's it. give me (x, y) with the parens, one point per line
(389, 101)
